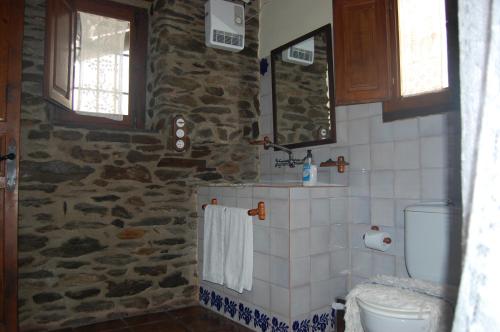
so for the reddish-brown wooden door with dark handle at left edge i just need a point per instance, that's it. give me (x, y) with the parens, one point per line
(11, 34)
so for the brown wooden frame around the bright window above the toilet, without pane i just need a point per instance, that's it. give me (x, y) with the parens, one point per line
(398, 107)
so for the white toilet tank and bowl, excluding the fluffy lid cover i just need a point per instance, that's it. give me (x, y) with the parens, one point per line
(432, 253)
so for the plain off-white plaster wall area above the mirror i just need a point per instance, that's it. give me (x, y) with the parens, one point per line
(284, 20)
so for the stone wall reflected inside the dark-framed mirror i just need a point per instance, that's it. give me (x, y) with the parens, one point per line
(302, 97)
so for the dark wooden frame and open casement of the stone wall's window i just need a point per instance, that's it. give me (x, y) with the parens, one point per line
(64, 115)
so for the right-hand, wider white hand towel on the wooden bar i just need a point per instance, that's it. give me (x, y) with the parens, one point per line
(238, 270)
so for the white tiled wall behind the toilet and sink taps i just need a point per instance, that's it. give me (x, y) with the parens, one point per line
(392, 165)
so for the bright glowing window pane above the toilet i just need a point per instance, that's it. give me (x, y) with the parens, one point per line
(422, 46)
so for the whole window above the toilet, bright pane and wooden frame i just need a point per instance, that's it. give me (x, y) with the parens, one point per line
(424, 62)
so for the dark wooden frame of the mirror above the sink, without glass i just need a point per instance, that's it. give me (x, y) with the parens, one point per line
(327, 30)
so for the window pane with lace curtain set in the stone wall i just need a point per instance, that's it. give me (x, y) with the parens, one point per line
(101, 65)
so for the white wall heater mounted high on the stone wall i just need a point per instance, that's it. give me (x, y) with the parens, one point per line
(224, 25)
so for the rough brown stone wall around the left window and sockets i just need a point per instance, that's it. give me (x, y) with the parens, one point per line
(108, 218)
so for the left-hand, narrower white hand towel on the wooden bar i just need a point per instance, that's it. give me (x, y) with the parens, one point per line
(214, 229)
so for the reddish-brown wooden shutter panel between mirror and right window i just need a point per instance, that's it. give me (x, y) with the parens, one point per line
(362, 51)
